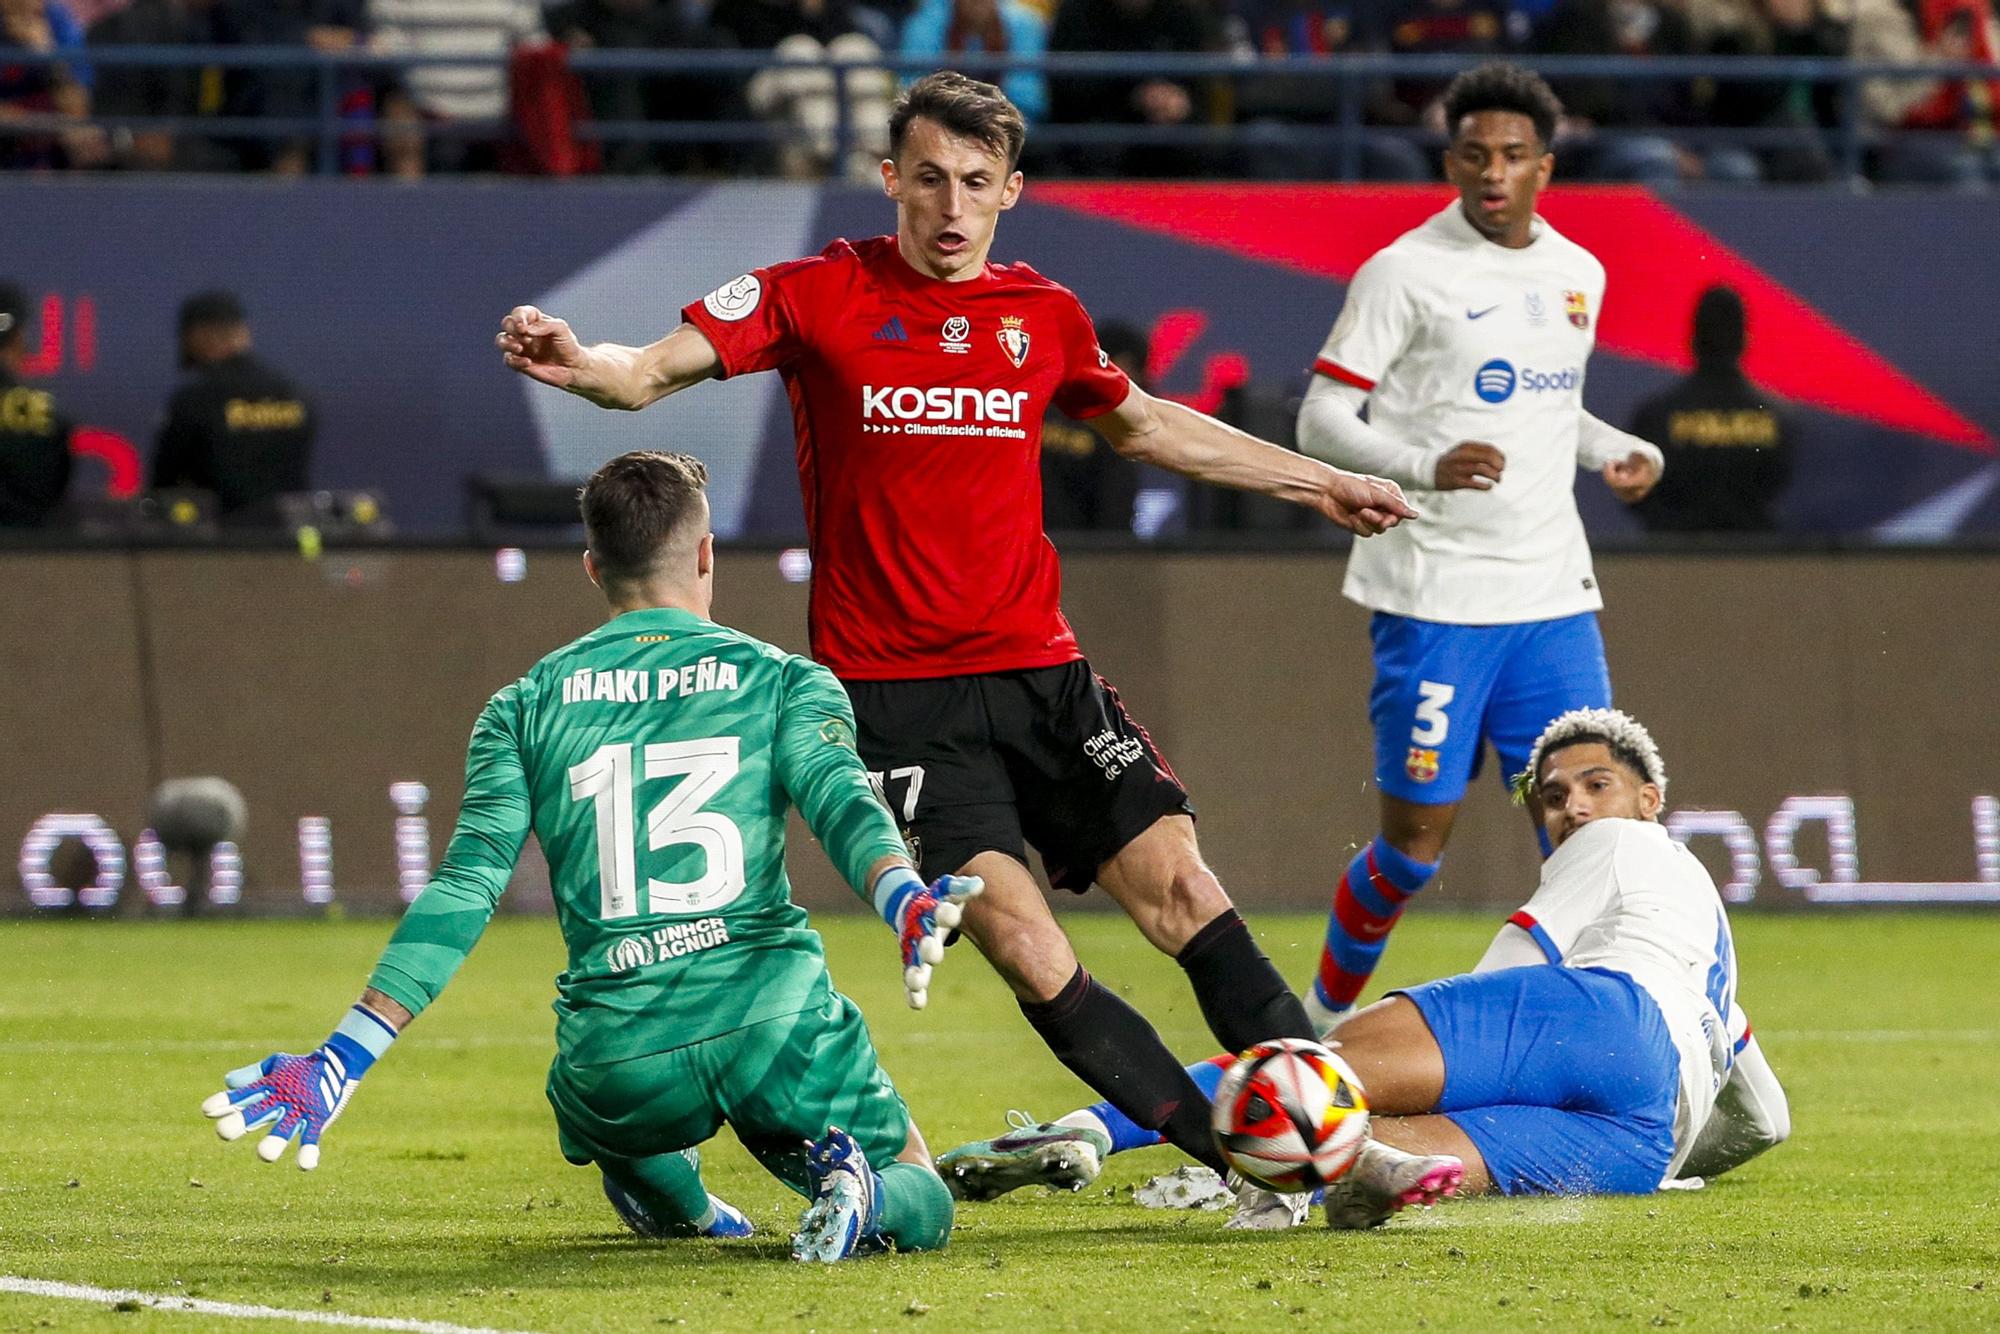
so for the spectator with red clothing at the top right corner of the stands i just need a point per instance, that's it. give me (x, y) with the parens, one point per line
(1963, 121)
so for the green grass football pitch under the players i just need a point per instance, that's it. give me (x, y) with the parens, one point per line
(443, 1197)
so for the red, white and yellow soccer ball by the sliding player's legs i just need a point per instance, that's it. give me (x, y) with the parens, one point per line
(1291, 1115)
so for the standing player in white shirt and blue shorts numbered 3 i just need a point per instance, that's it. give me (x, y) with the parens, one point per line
(1467, 341)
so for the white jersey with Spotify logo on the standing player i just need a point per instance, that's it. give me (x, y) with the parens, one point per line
(1461, 339)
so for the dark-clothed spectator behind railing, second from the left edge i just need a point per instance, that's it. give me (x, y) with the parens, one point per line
(187, 93)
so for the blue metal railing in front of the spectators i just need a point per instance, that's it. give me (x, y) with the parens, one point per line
(1351, 79)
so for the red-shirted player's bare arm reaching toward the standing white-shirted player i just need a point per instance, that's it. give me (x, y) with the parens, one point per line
(1199, 447)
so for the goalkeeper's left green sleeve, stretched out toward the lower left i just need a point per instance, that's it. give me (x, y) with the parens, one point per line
(449, 917)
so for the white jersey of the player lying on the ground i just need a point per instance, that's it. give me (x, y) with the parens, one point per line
(1623, 895)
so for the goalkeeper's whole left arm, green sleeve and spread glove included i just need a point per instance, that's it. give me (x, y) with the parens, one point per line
(305, 1095)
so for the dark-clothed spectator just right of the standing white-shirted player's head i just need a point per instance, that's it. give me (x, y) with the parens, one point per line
(1645, 111)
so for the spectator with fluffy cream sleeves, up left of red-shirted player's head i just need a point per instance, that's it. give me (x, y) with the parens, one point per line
(803, 93)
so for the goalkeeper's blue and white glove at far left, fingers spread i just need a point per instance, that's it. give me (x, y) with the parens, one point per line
(301, 1095)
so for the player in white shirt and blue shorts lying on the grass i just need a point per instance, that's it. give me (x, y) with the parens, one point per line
(1597, 1049)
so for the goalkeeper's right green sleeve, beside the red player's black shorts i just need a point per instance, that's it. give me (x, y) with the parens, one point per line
(825, 775)
